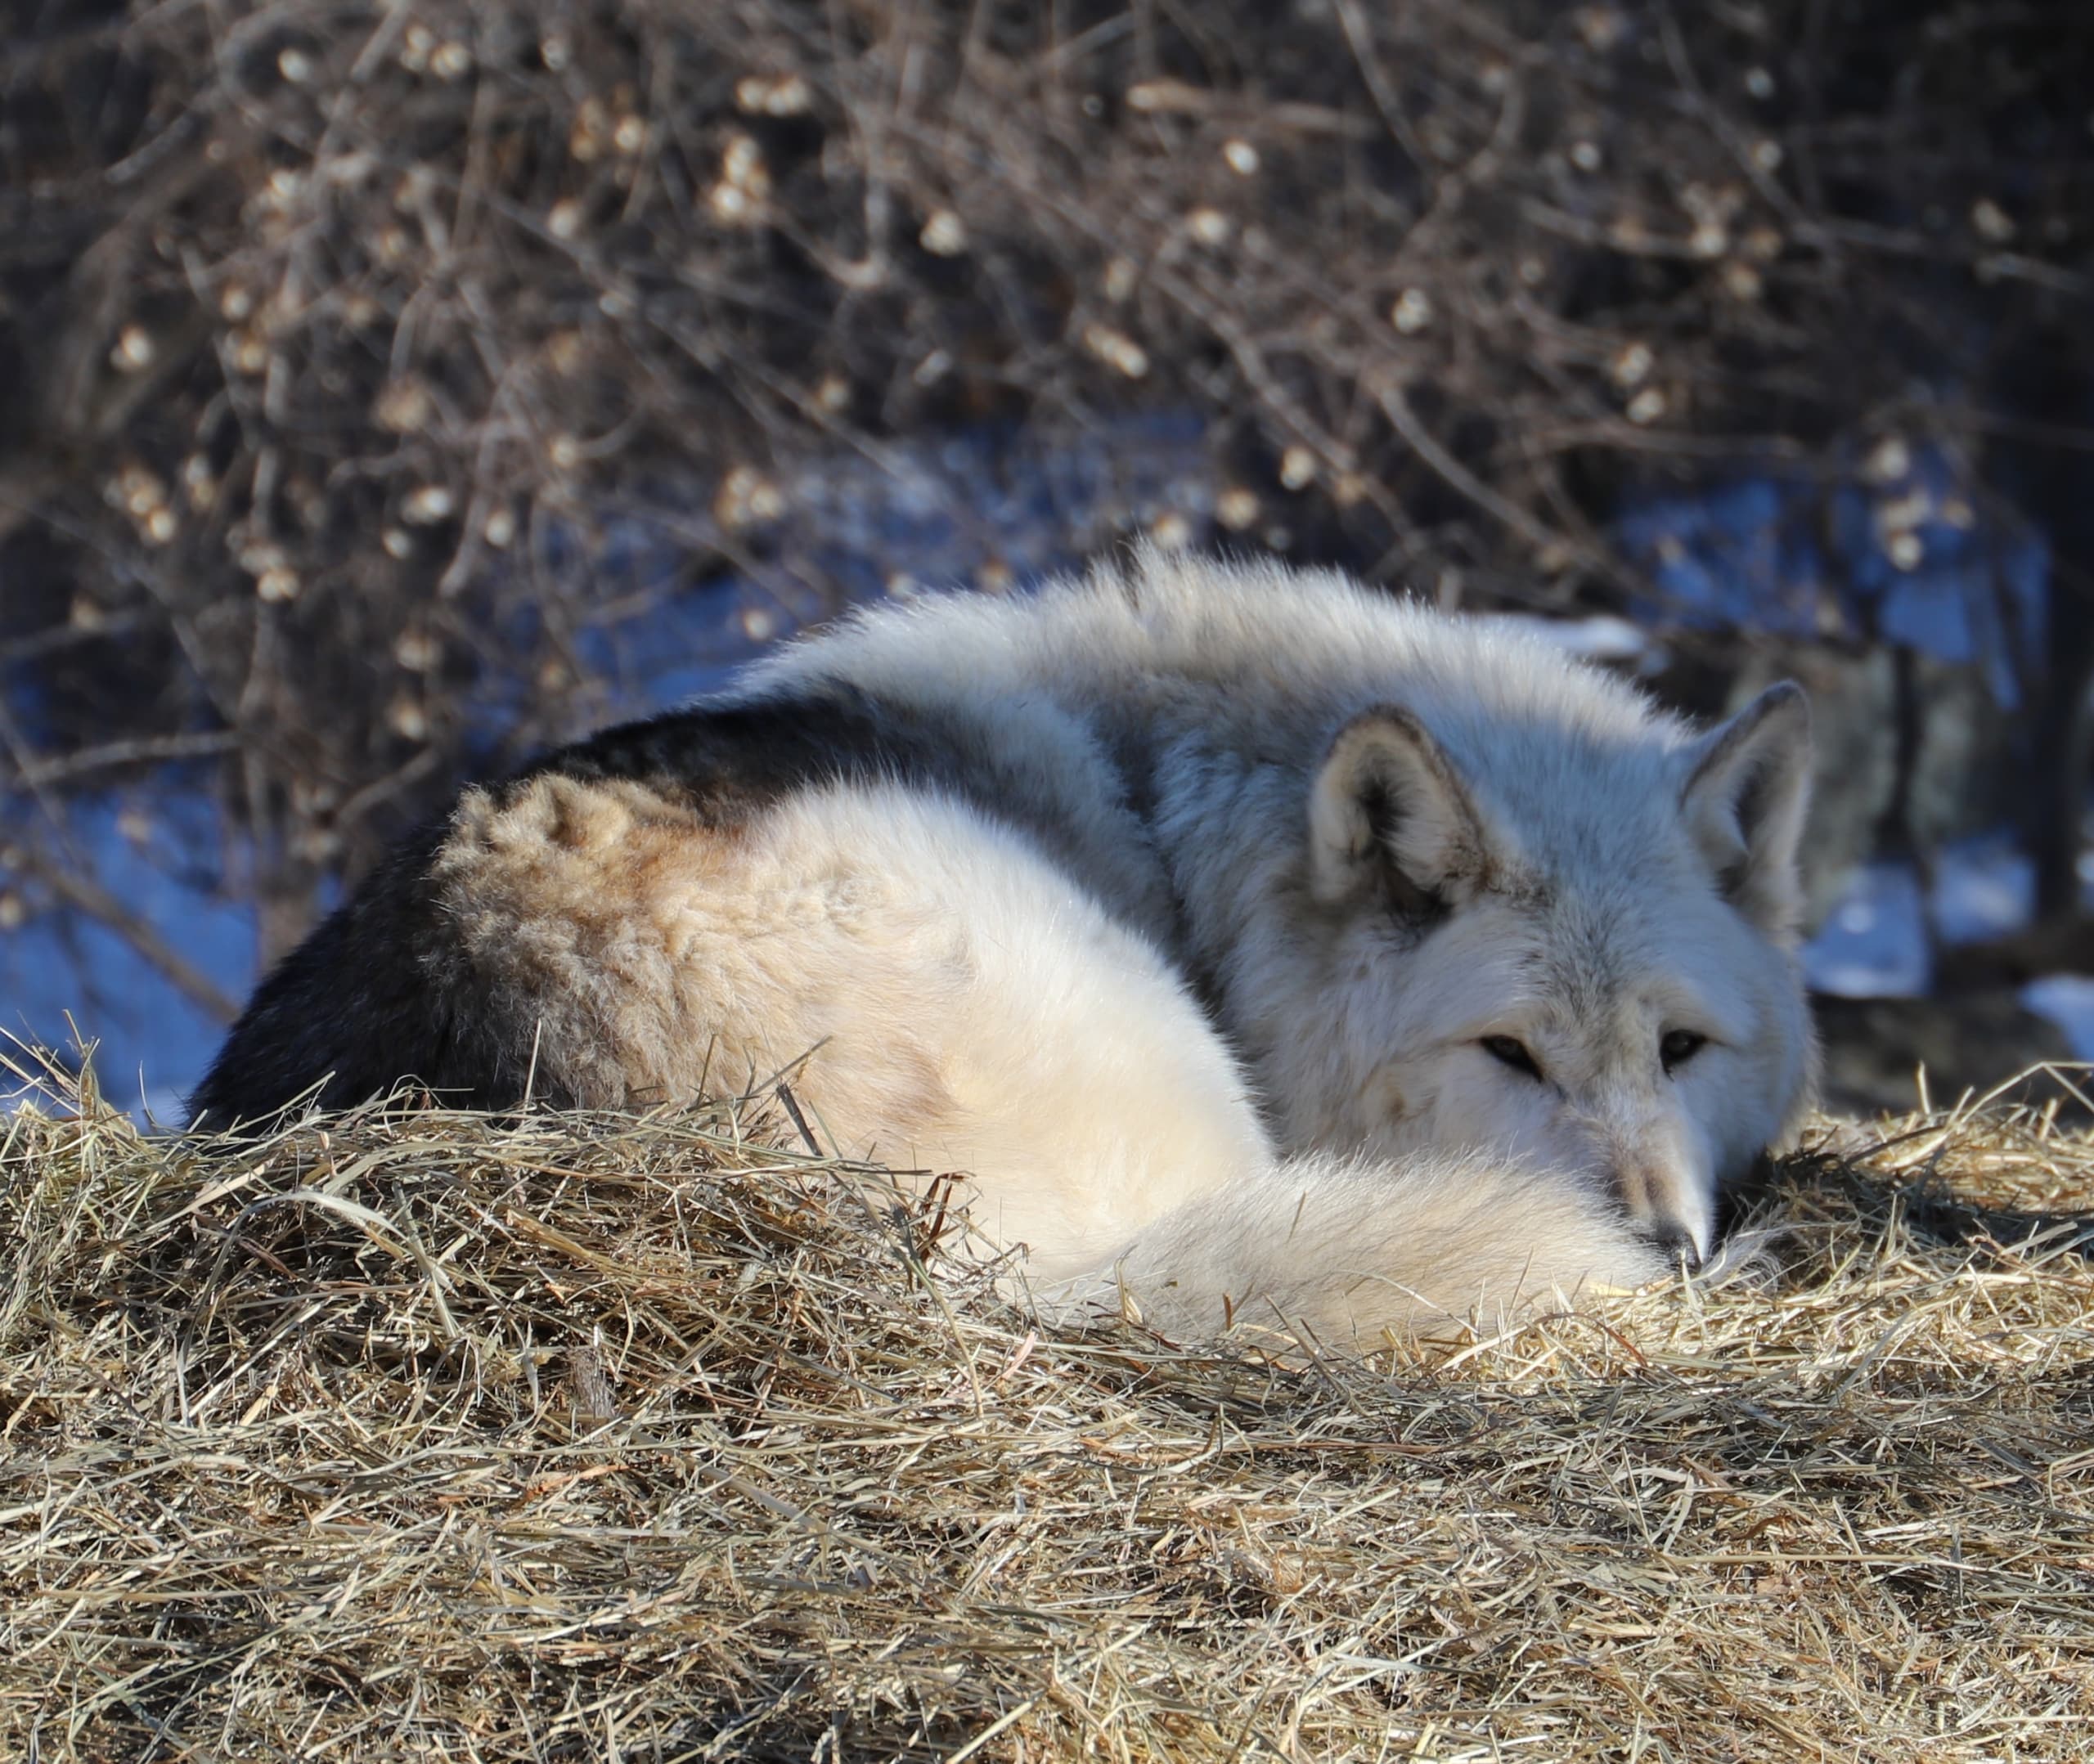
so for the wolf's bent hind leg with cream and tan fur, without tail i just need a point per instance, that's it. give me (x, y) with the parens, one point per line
(937, 993)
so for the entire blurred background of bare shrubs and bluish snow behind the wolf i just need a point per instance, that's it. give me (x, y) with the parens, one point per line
(391, 388)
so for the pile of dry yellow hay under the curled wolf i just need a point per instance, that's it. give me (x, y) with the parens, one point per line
(426, 1437)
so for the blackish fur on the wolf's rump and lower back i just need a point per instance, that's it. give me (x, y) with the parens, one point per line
(382, 991)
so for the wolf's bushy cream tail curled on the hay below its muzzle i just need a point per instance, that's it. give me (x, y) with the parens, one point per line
(1354, 1252)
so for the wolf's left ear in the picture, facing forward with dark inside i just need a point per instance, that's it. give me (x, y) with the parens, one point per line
(1389, 811)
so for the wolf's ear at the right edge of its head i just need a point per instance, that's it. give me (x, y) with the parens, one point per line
(1745, 800)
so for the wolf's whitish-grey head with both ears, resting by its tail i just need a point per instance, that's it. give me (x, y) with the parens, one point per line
(1572, 945)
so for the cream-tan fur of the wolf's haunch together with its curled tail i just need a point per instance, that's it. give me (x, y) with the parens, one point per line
(948, 1001)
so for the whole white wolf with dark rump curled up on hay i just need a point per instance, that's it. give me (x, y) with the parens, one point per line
(1249, 938)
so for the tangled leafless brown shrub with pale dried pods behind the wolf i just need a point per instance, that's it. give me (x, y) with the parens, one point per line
(347, 325)
